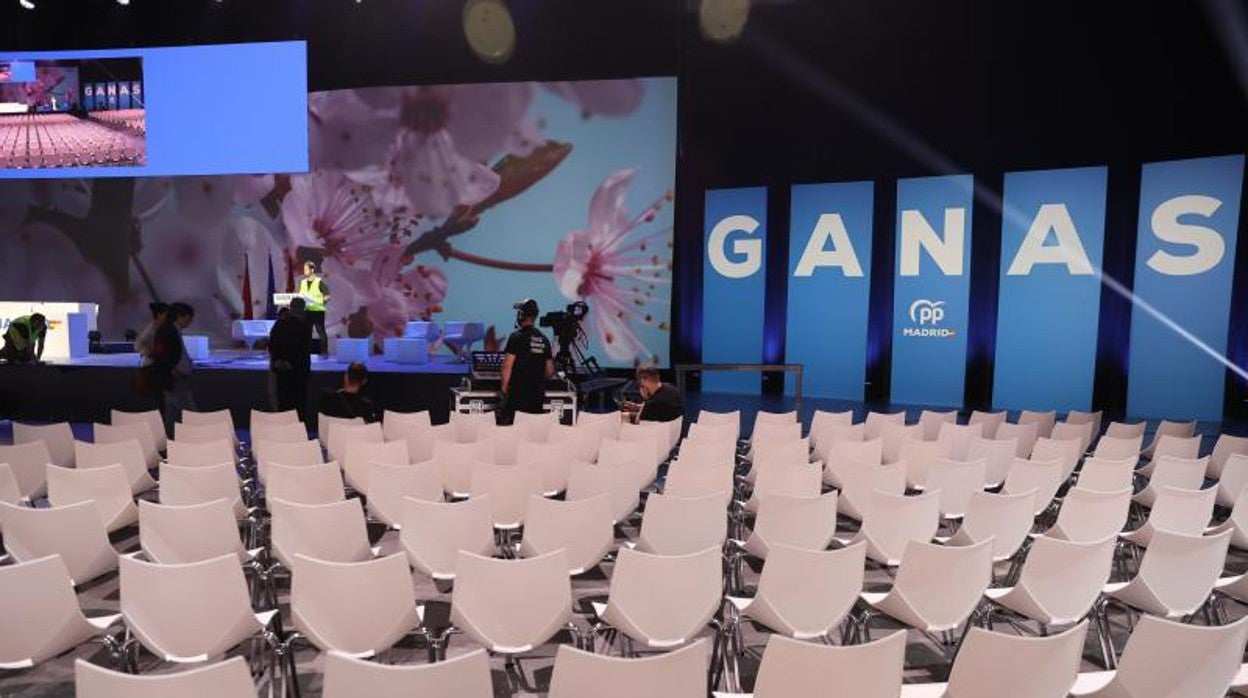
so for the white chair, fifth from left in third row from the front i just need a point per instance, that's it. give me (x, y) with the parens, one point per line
(582, 529)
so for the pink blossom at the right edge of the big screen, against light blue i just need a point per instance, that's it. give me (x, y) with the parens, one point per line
(616, 269)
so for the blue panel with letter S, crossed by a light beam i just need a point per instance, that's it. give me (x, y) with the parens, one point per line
(1185, 263)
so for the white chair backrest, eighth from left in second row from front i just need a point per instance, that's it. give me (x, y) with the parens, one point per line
(1064, 579)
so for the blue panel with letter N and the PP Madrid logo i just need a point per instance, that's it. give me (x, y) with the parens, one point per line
(930, 303)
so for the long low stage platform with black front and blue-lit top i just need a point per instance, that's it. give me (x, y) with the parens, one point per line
(85, 389)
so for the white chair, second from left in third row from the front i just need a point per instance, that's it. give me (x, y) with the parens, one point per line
(172, 535)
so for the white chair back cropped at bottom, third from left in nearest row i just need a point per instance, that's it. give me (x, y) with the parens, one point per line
(677, 675)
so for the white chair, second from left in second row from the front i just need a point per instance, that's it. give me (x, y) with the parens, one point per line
(157, 604)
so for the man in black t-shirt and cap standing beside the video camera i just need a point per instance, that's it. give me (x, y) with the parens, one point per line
(526, 368)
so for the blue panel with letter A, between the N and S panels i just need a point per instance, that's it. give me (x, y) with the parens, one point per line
(1053, 237)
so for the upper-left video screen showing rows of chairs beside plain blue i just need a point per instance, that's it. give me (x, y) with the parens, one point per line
(155, 112)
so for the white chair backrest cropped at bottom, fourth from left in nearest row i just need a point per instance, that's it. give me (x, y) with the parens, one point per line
(794, 669)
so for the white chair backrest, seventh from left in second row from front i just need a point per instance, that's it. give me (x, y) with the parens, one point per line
(944, 584)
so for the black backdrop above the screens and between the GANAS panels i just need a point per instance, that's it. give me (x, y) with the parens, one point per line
(816, 91)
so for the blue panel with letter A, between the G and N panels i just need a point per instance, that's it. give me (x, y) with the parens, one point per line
(829, 287)
